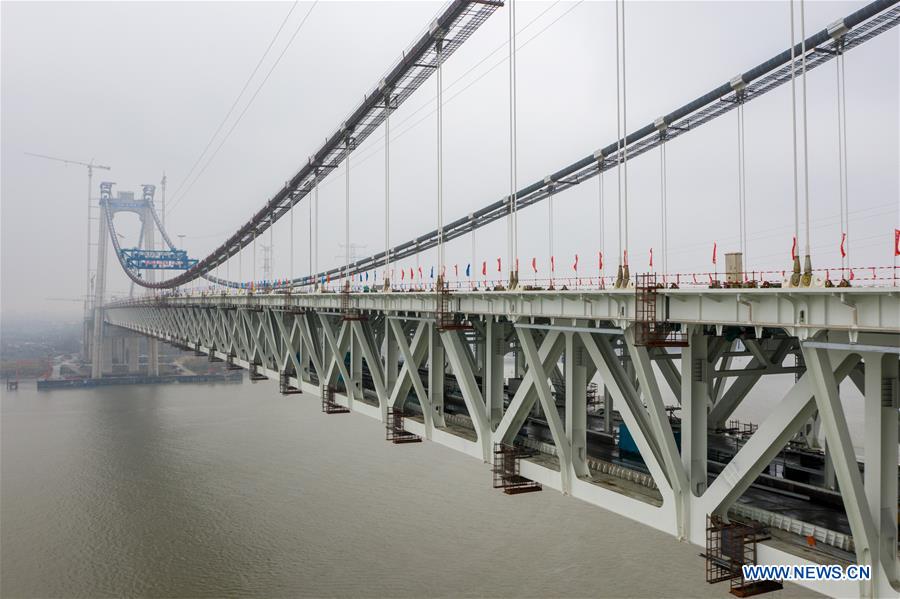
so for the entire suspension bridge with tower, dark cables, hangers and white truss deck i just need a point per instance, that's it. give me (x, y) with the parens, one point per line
(561, 381)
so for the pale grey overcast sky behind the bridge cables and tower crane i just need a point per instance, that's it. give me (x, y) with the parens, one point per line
(143, 86)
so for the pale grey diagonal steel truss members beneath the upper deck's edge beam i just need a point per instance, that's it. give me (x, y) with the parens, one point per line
(287, 339)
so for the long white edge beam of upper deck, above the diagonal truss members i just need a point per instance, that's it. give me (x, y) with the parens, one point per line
(799, 312)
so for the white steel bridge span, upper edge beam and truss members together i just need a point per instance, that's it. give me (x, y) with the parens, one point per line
(562, 339)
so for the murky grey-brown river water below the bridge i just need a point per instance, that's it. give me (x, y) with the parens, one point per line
(235, 490)
